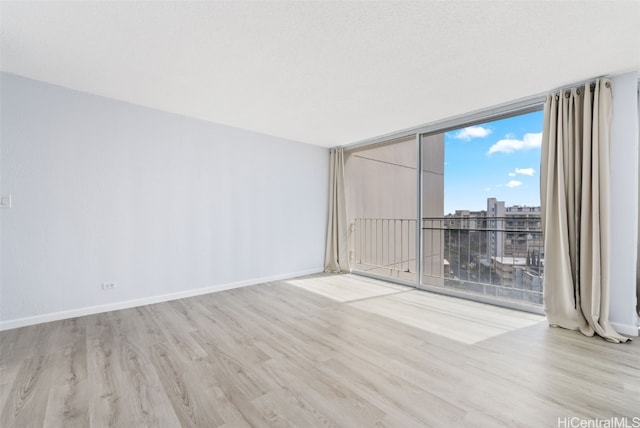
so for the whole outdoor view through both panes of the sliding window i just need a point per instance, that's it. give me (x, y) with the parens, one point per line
(480, 230)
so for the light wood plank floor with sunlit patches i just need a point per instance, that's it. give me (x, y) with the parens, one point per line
(278, 355)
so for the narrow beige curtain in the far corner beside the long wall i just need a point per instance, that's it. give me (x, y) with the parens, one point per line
(337, 253)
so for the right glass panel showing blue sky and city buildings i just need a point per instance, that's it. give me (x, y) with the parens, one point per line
(481, 209)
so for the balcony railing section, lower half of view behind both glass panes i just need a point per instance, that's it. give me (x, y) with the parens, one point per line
(498, 257)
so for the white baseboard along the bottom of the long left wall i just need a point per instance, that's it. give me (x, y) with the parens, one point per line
(72, 313)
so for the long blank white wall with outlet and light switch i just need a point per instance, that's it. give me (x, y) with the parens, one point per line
(163, 205)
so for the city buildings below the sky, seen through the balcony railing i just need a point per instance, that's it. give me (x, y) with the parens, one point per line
(497, 251)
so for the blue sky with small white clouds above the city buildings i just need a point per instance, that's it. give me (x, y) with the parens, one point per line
(498, 159)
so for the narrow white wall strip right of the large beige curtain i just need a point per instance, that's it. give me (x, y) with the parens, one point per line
(624, 202)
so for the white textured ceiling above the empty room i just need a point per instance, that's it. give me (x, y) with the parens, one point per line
(325, 73)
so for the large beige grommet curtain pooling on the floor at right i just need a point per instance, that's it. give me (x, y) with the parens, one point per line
(575, 209)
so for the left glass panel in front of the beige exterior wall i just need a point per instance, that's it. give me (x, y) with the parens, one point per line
(381, 193)
